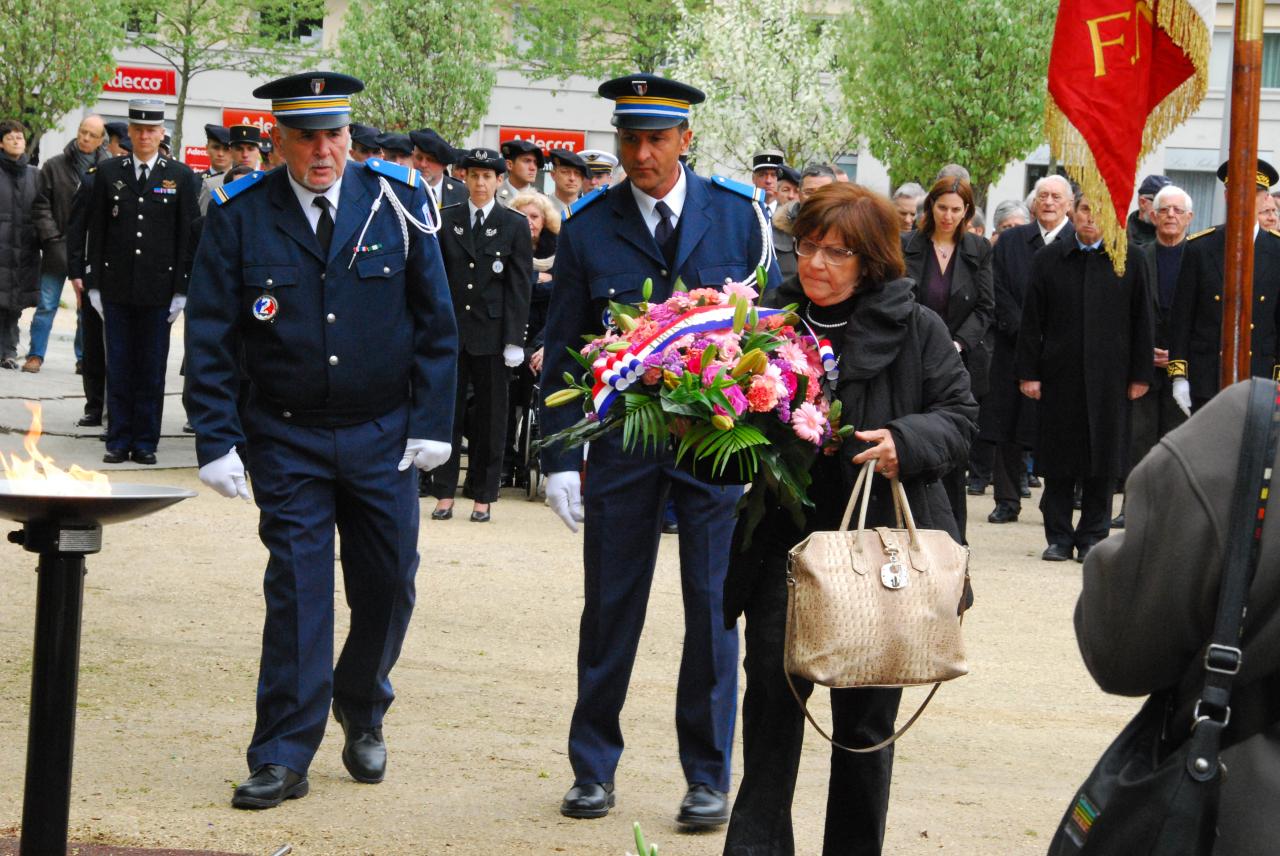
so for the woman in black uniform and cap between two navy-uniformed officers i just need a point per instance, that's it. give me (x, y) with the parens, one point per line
(490, 260)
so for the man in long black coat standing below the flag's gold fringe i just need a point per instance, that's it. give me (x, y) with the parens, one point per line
(1084, 353)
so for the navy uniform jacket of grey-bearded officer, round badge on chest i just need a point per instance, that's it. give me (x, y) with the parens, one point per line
(348, 344)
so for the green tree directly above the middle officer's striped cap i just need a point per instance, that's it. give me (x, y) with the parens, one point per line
(559, 39)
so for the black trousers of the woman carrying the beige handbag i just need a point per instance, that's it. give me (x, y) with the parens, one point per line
(774, 731)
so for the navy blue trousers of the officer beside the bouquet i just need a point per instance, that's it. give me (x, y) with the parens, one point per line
(624, 501)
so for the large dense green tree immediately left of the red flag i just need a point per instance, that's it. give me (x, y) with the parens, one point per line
(935, 84)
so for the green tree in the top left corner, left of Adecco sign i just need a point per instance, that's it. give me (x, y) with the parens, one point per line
(54, 57)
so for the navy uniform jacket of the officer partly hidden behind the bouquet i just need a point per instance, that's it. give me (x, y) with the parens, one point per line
(606, 253)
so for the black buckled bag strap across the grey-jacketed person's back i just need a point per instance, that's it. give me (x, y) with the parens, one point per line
(1223, 657)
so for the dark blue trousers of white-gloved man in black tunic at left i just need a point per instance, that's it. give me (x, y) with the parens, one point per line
(138, 354)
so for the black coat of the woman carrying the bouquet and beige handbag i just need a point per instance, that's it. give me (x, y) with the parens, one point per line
(899, 370)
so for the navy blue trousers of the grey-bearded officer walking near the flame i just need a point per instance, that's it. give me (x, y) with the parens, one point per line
(307, 482)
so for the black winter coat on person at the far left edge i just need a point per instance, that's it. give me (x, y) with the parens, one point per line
(20, 246)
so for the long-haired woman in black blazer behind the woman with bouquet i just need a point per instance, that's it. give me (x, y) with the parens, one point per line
(952, 269)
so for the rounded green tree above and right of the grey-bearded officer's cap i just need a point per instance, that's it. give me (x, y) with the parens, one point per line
(423, 62)
